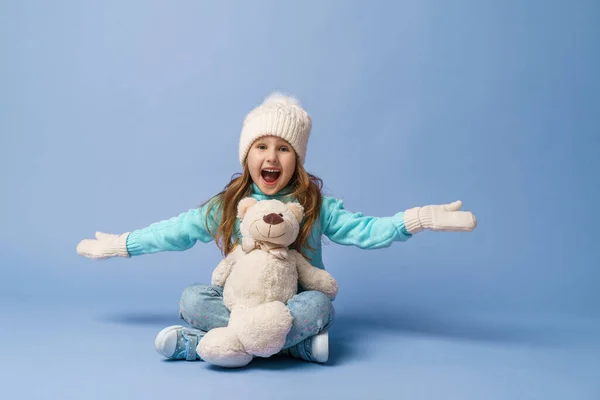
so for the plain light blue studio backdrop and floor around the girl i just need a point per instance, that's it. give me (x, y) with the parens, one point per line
(117, 114)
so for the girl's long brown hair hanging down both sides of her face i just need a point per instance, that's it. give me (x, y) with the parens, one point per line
(306, 190)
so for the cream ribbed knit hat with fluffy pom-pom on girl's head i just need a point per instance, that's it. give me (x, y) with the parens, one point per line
(278, 115)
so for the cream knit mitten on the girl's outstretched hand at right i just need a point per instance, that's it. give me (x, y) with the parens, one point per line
(445, 218)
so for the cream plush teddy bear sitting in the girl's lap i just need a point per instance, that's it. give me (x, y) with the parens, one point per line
(258, 279)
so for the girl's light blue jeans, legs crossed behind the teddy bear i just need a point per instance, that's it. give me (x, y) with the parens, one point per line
(202, 307)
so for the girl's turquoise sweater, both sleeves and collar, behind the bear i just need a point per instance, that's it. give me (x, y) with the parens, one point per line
(339, 225)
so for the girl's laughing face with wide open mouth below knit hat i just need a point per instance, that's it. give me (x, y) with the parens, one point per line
(271, 162)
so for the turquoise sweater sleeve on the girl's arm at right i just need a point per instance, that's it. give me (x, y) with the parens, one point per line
(353, 228)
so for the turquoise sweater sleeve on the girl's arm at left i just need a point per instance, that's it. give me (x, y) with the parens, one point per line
(175, 234)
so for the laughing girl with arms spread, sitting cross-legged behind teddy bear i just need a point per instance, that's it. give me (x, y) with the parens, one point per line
(272, 150)
